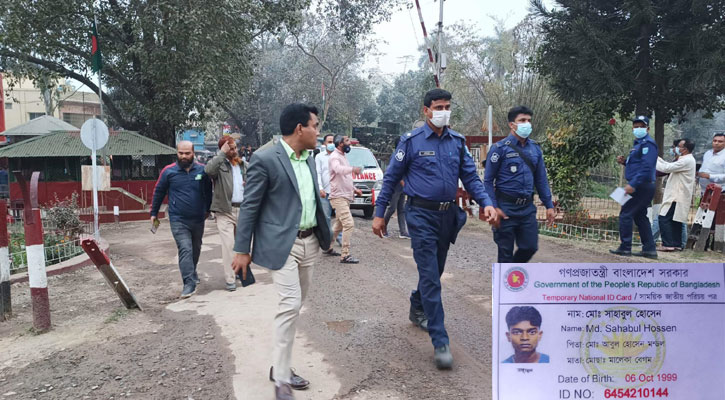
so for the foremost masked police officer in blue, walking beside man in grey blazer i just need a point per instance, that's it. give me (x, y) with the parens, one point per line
(431, 159)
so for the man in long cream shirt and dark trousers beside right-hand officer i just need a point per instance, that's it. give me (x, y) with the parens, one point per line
(678, 194)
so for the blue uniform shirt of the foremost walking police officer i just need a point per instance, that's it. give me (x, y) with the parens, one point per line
(431, 166)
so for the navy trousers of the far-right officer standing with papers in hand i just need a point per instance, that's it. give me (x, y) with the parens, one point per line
(636, 210)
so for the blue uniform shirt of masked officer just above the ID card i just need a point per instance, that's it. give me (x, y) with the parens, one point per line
(507, 172)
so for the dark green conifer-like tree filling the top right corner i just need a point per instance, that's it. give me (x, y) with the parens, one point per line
(662, 56)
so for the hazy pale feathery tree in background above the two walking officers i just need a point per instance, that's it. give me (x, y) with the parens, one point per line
(496, 71)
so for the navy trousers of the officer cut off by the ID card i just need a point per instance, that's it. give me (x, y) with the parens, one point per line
(521, 229)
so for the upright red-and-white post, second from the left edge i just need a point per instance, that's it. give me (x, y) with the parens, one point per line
(37, 277)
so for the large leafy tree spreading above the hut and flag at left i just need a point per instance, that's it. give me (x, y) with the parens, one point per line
(162, 58)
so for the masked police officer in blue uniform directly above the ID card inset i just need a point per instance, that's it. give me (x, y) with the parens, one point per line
(514, 166)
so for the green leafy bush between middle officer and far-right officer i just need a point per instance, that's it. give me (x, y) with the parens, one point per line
(582, 140)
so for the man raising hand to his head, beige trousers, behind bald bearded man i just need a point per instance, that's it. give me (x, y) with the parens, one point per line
(227, 171)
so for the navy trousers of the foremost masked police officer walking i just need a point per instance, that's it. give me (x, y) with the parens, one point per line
(431, 233)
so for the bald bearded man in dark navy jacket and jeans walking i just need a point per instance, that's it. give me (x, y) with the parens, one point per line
(189, 190)
